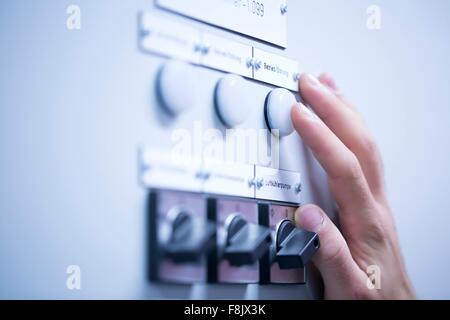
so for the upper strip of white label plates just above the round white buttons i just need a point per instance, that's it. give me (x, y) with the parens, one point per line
(173, 39)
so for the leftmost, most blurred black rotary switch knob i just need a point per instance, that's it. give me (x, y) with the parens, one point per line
(191, 238)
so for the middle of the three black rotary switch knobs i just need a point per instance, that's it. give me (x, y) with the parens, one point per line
(246, 242)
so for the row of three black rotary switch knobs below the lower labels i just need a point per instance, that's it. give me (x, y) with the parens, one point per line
(245, 244)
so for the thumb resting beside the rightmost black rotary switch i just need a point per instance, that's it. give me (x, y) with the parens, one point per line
(341, 275)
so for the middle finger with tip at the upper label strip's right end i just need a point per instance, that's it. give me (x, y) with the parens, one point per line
(348, 127)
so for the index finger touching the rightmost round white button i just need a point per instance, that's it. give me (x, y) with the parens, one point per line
(344, 172)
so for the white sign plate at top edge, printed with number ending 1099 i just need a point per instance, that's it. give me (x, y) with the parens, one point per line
(261, 19)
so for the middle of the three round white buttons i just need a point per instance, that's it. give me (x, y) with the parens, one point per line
(231, 100)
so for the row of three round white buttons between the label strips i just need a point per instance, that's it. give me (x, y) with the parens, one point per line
(177, 89)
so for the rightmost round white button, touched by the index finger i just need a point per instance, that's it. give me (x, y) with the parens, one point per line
(278, 111)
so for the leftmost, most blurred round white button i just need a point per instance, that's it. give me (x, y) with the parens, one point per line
(177, 86)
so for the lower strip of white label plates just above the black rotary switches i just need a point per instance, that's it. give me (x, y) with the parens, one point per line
(162, 170)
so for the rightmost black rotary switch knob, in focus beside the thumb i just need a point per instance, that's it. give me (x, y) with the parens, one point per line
(295, 246)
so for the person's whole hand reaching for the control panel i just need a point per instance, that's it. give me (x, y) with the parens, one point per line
(341, 143)
